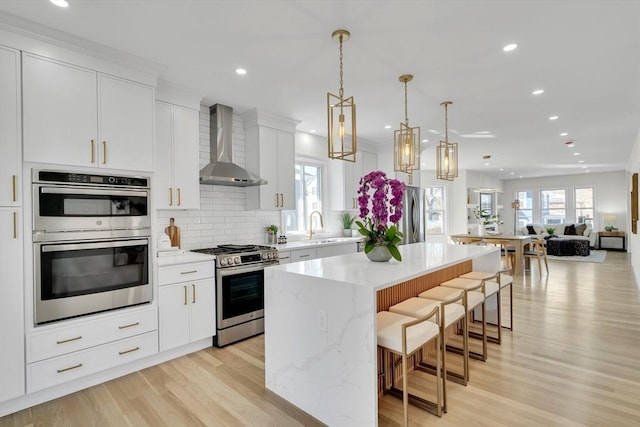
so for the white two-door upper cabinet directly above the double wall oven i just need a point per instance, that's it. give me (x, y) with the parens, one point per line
(79, 117)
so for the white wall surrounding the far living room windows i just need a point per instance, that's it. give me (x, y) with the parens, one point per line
(609, 188)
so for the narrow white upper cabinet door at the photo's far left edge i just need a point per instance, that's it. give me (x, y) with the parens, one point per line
(10, 160)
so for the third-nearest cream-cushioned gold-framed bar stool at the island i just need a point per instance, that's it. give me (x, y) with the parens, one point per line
(453, 296)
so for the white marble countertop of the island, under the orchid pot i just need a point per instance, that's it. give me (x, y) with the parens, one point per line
(417, 259)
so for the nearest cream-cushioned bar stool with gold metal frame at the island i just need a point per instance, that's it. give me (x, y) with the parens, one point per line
(404, 336)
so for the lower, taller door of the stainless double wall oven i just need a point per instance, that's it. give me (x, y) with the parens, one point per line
(74, 279)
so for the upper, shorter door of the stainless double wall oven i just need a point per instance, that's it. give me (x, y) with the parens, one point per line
(61, 209)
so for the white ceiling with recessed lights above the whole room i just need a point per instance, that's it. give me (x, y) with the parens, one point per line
(584, 54)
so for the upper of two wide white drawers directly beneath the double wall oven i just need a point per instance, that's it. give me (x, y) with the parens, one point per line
(58, 341)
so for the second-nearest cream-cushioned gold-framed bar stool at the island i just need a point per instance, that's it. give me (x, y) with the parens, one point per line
(450, 312)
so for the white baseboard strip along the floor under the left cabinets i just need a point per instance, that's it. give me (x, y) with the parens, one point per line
(36, 398)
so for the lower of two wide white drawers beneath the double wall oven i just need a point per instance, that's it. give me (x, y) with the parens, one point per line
(48, 373)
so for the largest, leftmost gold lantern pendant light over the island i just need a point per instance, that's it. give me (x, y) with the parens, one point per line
(341, 114)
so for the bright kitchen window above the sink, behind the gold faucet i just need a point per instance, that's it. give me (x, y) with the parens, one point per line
(308, 197)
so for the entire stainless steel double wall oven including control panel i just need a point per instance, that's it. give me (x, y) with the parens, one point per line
(91, 237)
